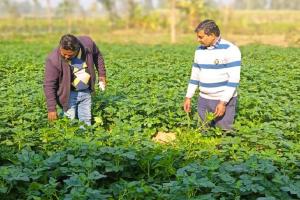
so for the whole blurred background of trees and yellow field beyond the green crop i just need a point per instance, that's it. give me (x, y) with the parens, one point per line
(242, 21)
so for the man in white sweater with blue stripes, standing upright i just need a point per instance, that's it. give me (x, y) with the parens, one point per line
(216, 71)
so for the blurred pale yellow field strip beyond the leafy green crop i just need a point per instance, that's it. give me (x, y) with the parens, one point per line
(279, 28)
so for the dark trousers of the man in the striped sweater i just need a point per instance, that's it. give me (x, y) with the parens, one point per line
(226, 121)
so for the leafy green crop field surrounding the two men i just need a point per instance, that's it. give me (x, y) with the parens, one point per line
(116, 158)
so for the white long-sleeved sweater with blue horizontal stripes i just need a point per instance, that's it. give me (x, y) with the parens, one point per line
(216, 71)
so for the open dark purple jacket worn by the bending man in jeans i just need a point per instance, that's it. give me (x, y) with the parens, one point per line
(57, 82)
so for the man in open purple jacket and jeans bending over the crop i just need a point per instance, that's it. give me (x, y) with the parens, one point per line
(70, 77)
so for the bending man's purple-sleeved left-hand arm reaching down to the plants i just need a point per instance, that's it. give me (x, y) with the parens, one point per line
(50, 89)
